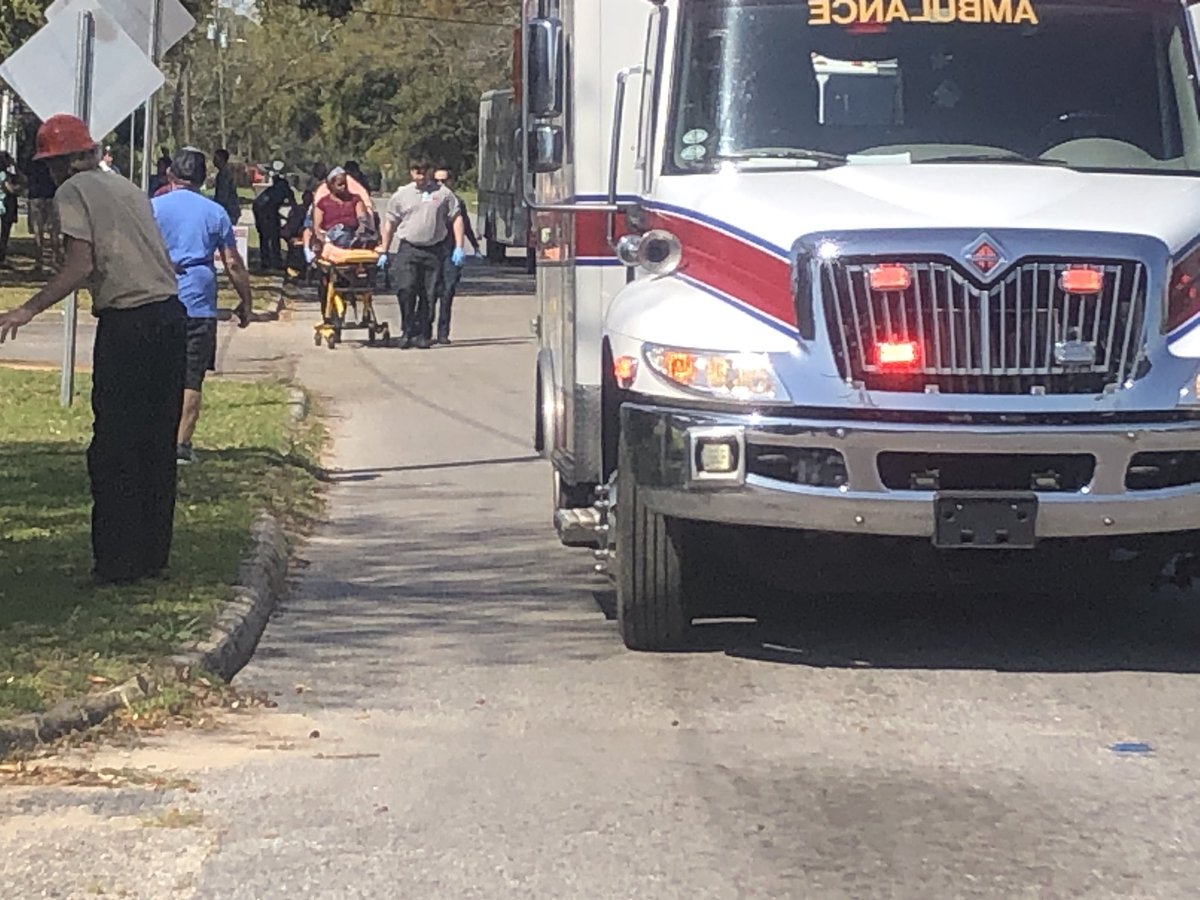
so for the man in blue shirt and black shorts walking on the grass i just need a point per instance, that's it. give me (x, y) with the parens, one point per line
(196, 230)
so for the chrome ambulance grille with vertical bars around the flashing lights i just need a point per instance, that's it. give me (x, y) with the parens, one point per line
(1021, 335)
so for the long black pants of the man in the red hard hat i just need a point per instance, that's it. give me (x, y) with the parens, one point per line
(137, 398)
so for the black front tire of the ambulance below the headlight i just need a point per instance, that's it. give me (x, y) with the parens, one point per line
(652, 603)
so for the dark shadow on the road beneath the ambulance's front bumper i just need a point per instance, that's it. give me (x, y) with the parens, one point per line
(1154, 632)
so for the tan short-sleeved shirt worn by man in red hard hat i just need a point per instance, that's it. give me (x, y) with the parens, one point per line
(131, 267)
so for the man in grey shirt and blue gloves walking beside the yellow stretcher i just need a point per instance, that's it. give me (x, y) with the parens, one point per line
(419, 218)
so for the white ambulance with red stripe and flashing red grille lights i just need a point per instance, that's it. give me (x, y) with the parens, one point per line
(825, 284)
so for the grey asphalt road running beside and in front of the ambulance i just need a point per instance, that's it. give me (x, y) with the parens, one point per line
(481, 731)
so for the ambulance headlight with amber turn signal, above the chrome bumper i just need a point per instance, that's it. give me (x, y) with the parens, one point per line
(725, 376)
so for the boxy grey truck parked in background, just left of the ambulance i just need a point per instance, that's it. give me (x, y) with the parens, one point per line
(503, 218)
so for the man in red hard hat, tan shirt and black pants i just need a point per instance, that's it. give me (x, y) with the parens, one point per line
(115, 249)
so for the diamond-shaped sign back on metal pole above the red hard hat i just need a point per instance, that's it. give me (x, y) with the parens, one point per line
(43, 73)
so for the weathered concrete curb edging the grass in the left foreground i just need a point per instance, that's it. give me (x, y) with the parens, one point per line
(262, 585)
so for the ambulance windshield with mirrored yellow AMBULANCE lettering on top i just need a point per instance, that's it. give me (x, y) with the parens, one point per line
(823, 83)
